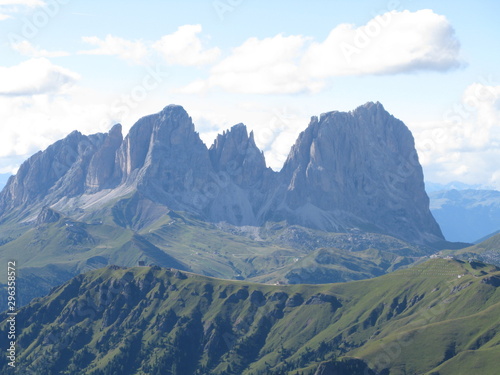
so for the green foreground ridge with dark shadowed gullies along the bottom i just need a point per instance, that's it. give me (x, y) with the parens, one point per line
(440, 317)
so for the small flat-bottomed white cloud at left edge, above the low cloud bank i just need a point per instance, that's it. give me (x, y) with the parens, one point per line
(35, 76)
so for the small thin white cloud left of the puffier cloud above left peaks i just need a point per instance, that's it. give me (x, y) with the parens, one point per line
(135, 51)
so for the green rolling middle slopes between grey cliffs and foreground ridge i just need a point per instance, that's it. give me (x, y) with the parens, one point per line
(56, 248)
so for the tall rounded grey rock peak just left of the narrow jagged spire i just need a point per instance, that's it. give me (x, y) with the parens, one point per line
(165, 159)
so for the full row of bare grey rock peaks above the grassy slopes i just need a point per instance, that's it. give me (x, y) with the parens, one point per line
(346, 170)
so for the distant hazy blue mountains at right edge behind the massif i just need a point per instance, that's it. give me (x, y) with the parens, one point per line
(466, 215)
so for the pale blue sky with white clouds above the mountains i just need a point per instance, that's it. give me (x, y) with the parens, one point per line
(86, 65)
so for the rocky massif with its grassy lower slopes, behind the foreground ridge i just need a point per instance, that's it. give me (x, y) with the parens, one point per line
(348, 204)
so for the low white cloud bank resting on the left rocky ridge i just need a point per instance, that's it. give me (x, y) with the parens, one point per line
(32, 123)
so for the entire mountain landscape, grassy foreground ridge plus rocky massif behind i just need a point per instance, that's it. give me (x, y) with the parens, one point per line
(155, 254)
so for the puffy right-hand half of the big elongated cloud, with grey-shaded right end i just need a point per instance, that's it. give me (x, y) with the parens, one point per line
(394, 42)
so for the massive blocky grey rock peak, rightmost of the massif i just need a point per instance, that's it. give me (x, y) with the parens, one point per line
(357, 169)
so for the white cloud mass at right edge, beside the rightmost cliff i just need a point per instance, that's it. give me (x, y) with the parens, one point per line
(465, 145)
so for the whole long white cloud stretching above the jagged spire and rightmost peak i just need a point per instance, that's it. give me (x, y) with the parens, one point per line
(395, 42)
